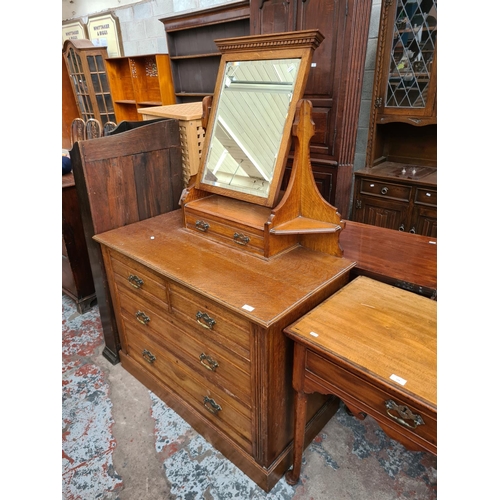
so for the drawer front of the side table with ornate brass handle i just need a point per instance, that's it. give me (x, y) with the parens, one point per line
(346, 383)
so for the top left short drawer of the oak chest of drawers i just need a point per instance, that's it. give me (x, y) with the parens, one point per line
(137, 278)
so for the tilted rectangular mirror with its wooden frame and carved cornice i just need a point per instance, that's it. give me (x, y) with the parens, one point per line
(260, 80)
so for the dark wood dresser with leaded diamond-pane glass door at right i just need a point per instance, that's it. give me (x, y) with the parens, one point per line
(398, 187)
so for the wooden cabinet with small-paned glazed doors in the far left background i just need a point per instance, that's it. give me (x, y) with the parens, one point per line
(89, 80)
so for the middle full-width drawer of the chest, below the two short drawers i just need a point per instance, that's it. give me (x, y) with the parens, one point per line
(215, 362)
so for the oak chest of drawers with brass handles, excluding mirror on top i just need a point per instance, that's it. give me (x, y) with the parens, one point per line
(201, 325)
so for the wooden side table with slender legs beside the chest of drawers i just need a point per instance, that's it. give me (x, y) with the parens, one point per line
(374, 346)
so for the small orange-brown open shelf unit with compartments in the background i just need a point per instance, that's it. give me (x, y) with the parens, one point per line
(139, 82)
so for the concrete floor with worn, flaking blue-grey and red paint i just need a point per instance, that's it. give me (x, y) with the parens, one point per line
(120, 442)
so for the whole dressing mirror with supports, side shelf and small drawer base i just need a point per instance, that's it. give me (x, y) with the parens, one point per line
(256, 110)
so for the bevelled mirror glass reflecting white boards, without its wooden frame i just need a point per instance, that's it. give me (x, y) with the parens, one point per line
(243, 156)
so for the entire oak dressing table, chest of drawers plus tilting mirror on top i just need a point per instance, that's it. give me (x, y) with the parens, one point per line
(202, 294)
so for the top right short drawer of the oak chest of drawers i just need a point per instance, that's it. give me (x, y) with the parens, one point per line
(211, 320)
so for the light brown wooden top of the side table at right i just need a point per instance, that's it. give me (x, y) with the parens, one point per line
(376, 328)
